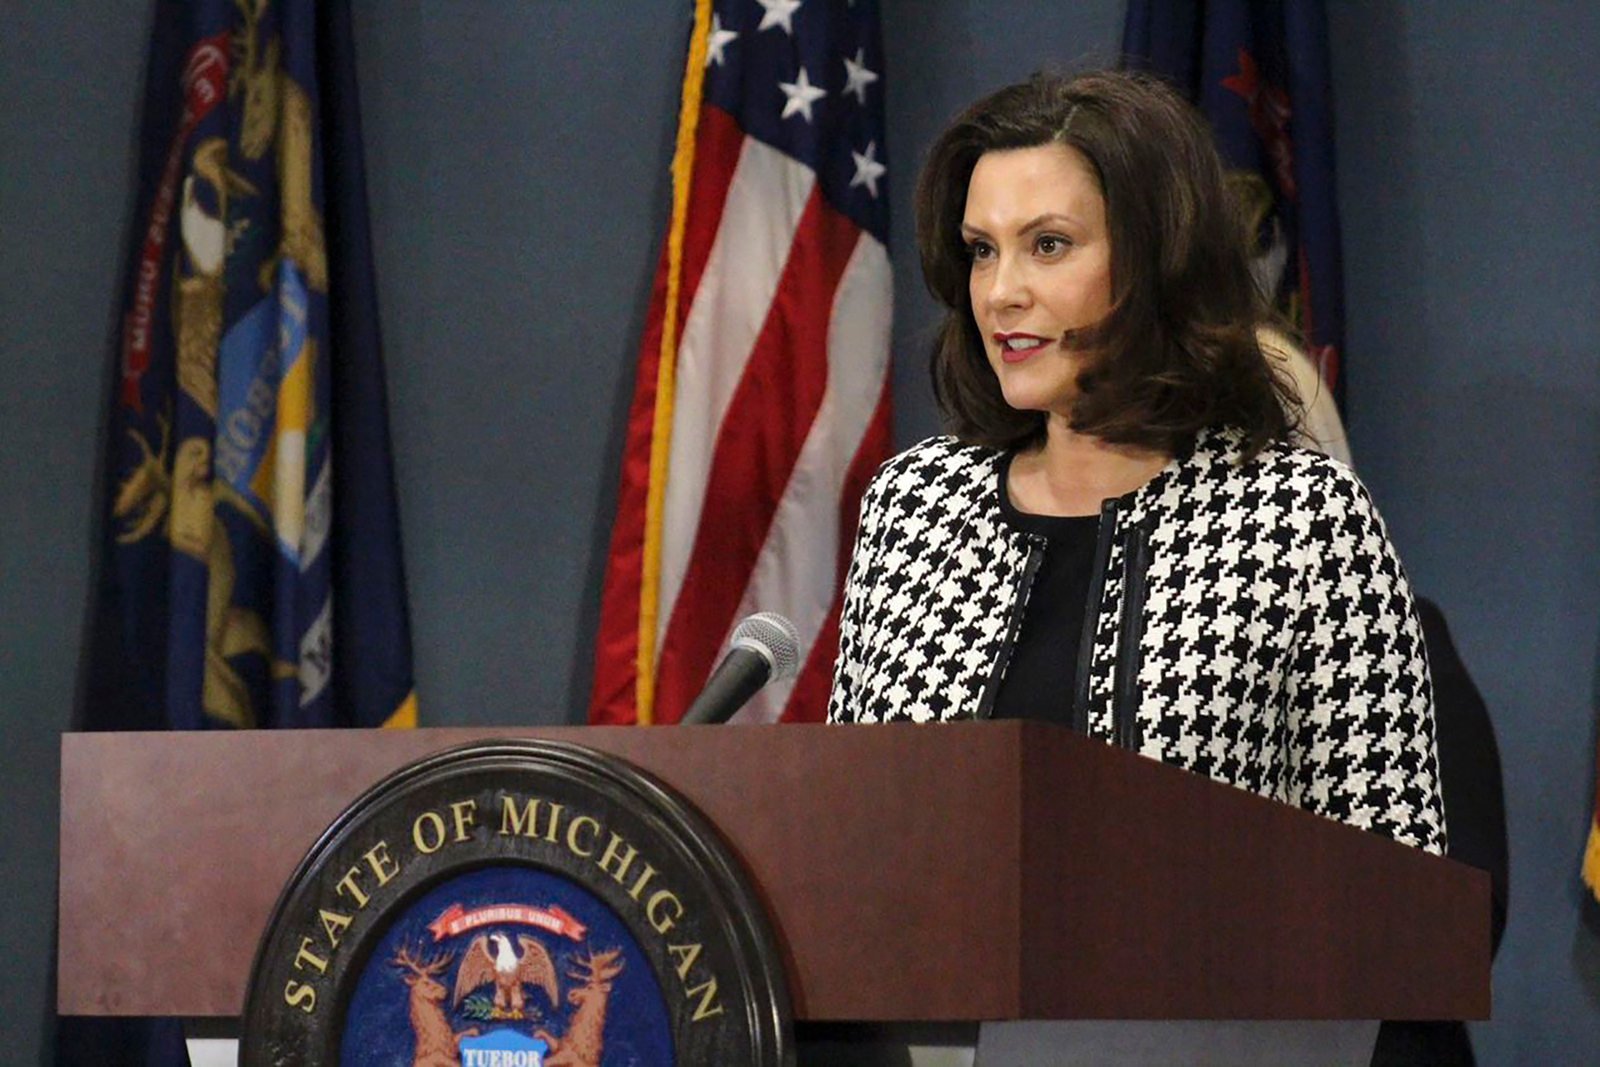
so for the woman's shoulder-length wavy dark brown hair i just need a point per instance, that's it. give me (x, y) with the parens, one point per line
(1178, 351)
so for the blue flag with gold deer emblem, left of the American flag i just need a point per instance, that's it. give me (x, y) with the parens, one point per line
(250, 570)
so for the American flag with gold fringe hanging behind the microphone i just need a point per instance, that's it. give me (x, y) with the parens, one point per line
(762, 399)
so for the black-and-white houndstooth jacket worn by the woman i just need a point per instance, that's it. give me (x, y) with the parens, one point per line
(1249, 621)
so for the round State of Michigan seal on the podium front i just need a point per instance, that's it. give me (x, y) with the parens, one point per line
(518, 905)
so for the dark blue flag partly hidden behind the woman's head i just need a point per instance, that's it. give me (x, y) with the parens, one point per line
(1260, 73)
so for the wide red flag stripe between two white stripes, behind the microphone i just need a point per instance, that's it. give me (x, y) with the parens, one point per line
(758, 446)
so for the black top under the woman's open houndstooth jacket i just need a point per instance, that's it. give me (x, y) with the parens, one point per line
(1042, 674)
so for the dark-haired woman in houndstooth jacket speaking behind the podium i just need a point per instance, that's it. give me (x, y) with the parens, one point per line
(1121, 535)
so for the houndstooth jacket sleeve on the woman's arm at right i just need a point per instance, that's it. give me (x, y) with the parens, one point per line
(1361, 738)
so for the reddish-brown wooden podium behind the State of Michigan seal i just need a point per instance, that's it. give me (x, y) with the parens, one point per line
(914, 874)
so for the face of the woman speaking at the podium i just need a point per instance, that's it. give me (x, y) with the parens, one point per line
(1041, 268)
